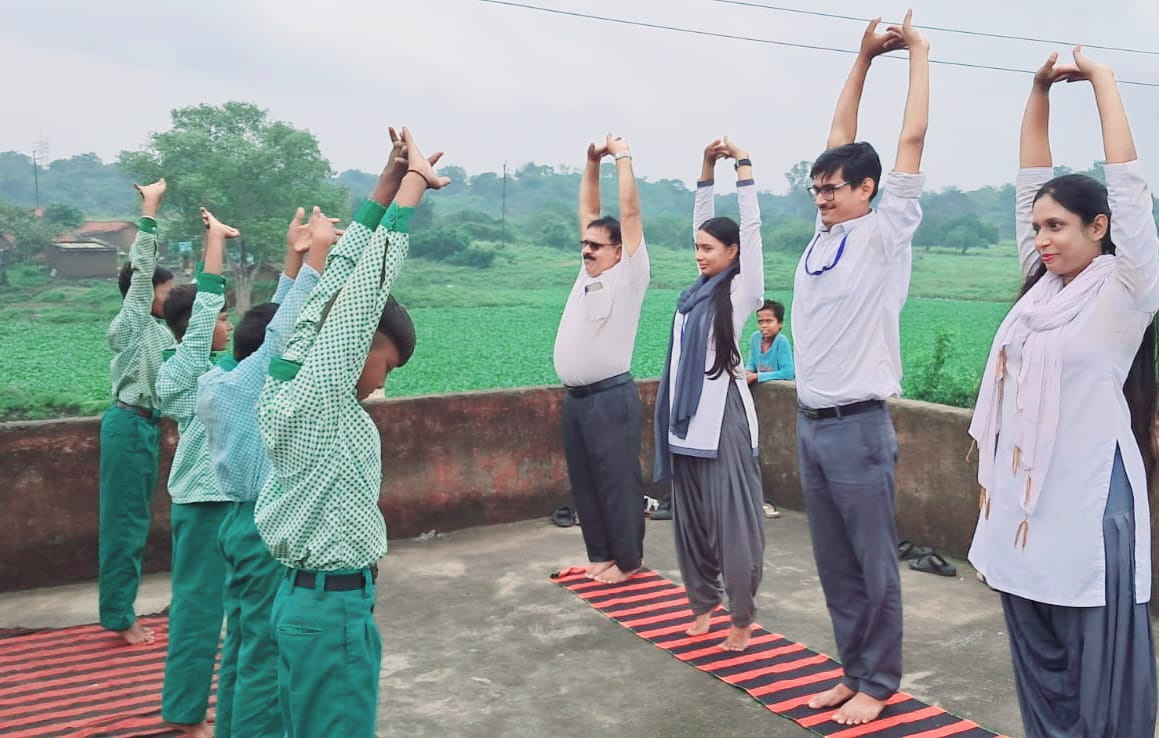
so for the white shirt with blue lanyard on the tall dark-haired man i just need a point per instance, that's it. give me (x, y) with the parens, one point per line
(845, 320)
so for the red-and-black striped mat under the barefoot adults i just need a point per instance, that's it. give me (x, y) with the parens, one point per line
(777, 673)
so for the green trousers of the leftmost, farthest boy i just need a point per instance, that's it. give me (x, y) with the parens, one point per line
(130, 447)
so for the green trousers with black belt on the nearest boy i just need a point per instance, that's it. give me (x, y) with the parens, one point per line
(330, 656)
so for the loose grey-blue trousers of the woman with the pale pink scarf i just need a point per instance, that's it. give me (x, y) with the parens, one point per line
(1089, 673)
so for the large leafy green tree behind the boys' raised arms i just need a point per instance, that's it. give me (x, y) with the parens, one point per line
(250, 171)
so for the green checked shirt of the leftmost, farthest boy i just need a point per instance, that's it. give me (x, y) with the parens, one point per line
(136, 338)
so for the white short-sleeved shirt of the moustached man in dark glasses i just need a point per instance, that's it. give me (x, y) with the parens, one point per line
(599, 330)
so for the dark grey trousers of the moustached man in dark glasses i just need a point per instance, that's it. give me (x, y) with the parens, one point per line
(602, 445)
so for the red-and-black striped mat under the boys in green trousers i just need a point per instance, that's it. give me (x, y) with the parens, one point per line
(82, 683)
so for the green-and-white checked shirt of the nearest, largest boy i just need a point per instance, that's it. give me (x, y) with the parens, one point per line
(319, 507)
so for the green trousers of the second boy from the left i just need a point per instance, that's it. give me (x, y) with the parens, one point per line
(195, 612)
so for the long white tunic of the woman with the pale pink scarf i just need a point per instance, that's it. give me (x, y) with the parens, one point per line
(1063, 560)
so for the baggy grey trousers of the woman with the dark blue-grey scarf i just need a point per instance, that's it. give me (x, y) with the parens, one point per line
(719, 521)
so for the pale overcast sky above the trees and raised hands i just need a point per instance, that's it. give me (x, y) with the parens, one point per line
(491, 84)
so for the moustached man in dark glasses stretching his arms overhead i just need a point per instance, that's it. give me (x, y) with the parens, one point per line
(593, 357)
